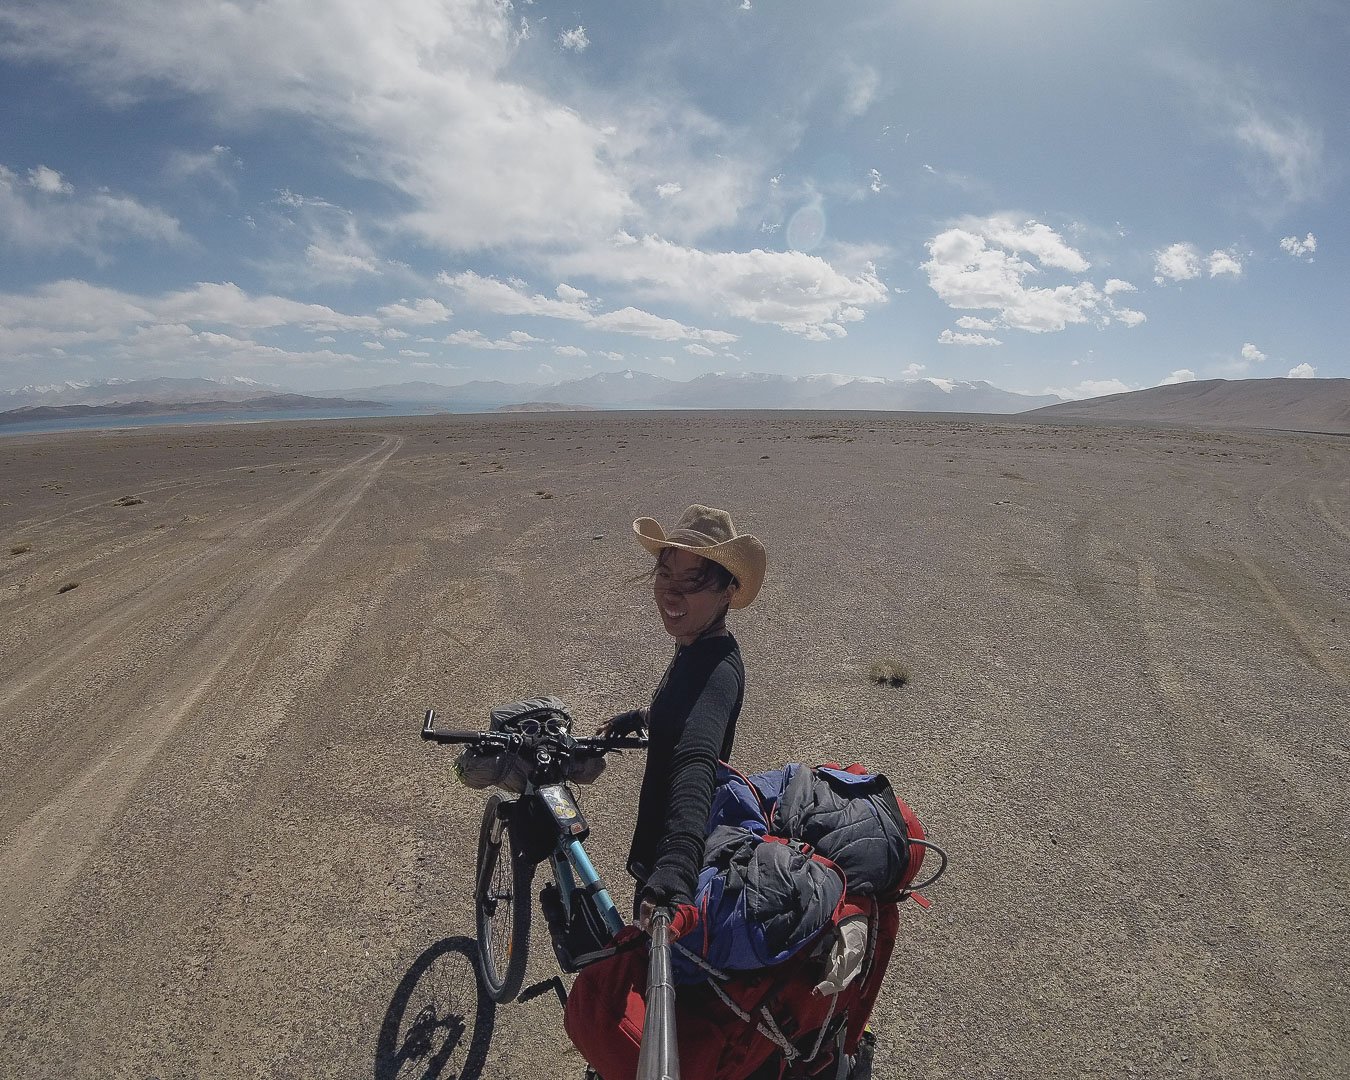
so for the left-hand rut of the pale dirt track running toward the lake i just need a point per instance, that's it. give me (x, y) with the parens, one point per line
(180, 584)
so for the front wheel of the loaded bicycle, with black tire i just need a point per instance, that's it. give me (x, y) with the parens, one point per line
(503, 904)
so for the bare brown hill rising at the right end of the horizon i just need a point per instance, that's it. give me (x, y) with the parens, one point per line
(1286, 404)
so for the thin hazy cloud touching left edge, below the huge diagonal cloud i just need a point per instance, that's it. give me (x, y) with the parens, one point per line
(45, 214)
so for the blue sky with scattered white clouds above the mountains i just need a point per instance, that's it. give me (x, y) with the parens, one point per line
(1078, 198)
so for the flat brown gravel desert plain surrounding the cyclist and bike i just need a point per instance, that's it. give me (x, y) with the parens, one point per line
(225, 853)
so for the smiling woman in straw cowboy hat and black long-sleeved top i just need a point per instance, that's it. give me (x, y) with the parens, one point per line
(704, 568)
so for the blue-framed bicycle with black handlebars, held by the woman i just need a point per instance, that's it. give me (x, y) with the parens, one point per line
(543, 823)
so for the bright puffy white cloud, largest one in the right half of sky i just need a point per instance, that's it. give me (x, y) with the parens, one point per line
(979, 265)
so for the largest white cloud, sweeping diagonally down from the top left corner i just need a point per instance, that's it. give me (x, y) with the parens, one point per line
(400, 90)
